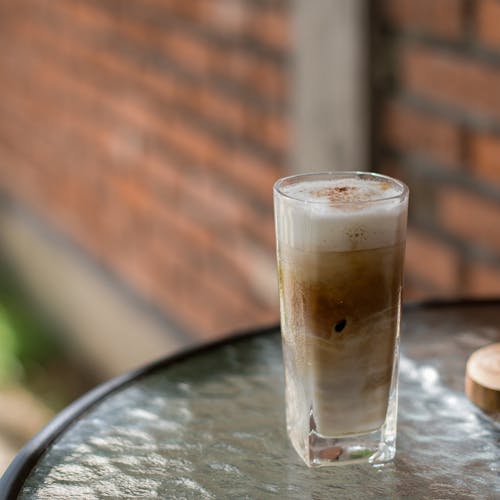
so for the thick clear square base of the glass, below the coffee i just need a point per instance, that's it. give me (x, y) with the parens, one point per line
(323, 451)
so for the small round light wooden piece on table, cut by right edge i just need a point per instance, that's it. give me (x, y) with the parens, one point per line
(482, 378)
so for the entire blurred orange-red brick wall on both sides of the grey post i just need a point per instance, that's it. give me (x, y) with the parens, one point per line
(150, 134)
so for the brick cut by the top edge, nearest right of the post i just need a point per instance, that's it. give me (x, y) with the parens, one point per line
(443, 18)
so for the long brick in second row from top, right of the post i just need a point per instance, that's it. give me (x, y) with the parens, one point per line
(452, 80)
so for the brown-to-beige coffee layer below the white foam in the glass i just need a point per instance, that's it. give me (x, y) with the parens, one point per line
(340, 315)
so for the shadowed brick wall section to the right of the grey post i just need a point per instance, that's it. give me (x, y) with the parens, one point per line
(438, 127)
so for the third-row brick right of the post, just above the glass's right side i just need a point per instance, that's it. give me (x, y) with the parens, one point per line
(417, 132)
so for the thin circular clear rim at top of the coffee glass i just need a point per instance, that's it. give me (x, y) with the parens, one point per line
(278, 186)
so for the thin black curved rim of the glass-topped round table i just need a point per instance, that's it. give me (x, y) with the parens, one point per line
(16, 473)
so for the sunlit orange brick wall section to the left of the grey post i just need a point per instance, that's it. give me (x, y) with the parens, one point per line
(151, 133)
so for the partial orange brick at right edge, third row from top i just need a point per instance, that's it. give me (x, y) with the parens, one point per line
(485, 157)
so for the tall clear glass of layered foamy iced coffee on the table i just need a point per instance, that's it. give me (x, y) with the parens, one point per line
(340, 248)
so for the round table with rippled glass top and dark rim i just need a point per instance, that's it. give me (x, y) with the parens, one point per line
(210, 423)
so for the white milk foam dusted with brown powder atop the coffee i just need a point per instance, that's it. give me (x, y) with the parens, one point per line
(341, 215)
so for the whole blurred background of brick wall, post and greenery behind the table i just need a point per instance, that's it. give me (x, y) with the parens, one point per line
(140, 139)
